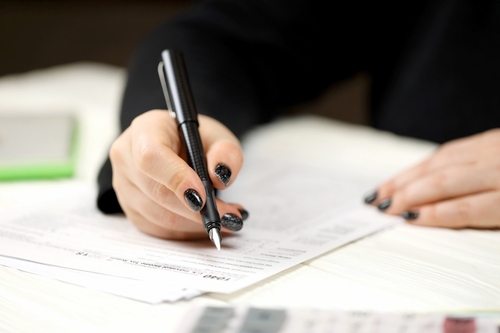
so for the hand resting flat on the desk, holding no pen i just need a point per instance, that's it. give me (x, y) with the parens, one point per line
(457, 187)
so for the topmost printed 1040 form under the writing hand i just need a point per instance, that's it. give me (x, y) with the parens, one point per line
(297, 213)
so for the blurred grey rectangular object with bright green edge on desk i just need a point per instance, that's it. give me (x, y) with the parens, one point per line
(37, 146)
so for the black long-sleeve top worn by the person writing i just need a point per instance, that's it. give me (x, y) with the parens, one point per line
(434, 65)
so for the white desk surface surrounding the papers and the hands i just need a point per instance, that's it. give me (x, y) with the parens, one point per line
(390, 271)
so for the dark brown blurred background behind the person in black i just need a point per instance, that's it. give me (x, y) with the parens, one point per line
(45, 33)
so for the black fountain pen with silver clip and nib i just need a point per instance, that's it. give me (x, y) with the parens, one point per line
(180, 103)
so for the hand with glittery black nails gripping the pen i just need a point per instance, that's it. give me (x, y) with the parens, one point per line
(156, 188)
